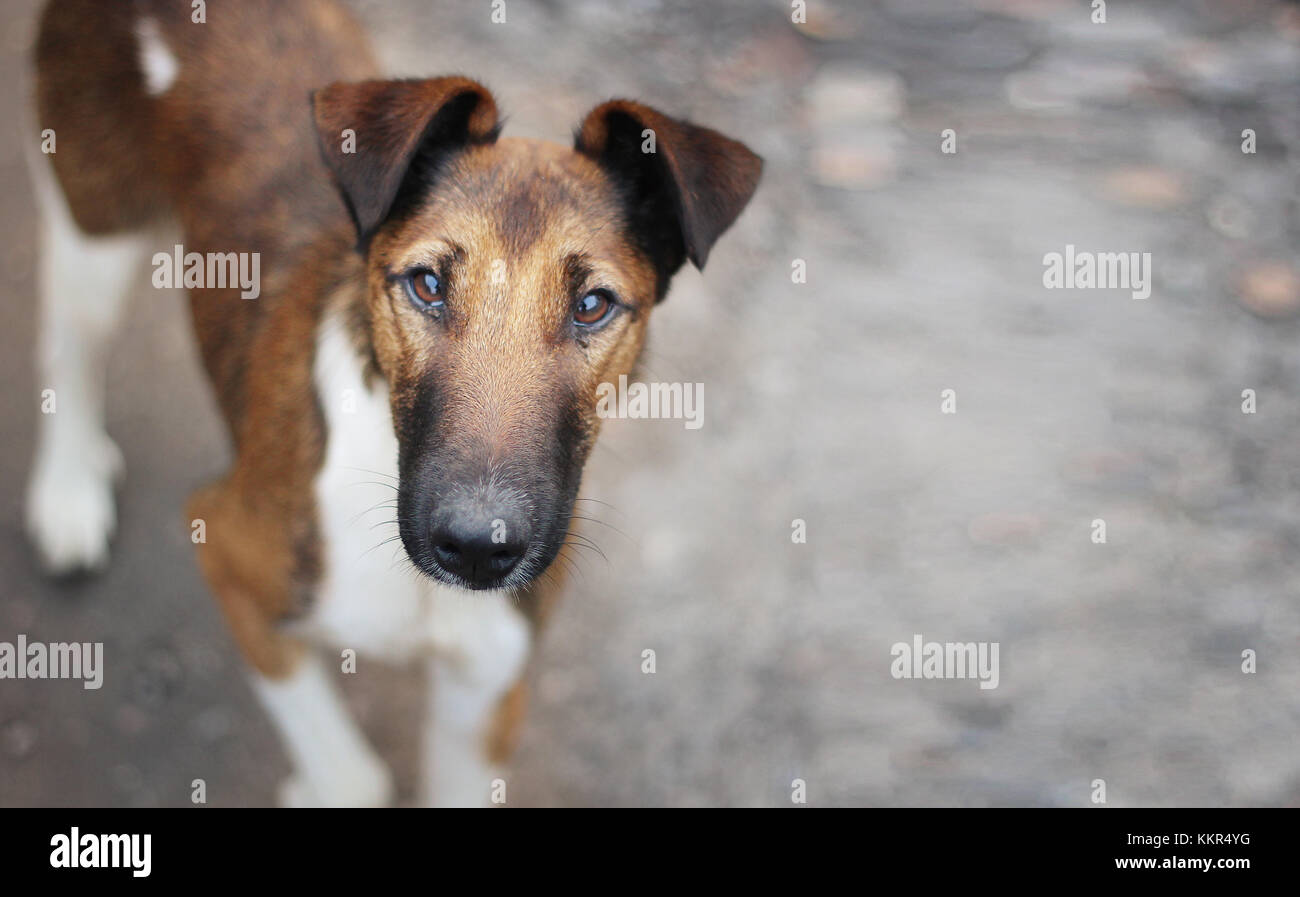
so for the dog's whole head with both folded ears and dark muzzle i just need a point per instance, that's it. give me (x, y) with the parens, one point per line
(508, 280)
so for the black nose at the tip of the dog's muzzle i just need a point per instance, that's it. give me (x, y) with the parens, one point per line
(479, 544)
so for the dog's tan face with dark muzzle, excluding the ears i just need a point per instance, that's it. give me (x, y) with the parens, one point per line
(497, 306)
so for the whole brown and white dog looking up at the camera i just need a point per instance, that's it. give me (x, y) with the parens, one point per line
(437, 309)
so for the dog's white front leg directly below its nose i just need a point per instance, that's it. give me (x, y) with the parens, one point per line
(480, 647)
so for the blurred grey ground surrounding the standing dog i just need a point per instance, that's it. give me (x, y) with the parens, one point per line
(1119, 661)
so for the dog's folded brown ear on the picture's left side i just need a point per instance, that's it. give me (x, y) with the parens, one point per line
(375, 135)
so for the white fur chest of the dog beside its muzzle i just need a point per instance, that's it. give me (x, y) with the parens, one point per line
(370, 599)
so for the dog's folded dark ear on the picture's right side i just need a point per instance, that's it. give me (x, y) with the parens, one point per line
(684, 184)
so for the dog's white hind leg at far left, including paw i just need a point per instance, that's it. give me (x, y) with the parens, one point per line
(84, 283)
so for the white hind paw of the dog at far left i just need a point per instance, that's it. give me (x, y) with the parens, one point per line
(71, 508)
